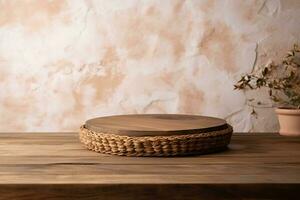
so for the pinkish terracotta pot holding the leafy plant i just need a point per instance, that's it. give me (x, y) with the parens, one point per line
(289, 121)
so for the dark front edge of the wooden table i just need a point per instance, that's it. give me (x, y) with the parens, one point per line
(149, 191)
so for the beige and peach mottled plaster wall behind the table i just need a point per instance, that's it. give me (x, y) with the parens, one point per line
(64, 61)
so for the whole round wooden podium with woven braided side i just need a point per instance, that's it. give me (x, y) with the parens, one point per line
(155, 134)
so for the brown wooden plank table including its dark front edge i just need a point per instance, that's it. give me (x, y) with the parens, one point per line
(56, 166)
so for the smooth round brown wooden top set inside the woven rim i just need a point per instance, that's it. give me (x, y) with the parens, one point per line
(154, 124)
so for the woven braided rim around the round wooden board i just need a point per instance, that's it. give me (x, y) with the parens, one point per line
(174, 145)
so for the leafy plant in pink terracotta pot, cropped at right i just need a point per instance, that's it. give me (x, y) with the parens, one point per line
(282, 82)
